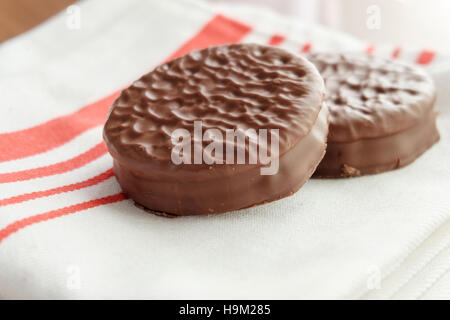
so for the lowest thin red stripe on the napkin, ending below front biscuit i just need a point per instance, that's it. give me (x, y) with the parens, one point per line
(16, 226)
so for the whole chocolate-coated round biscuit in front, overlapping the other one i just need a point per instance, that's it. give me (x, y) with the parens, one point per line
(236, 88)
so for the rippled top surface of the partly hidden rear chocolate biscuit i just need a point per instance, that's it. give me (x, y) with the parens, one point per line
(369, 97)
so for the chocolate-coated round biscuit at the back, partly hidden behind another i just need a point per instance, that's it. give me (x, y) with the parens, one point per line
(381, 113)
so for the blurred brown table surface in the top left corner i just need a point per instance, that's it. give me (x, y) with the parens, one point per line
(17, 16)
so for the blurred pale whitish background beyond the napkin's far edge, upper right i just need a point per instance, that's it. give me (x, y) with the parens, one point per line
(403, 22)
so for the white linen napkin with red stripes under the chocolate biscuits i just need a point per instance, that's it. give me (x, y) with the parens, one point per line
(67, 232)
